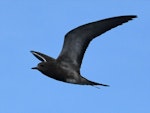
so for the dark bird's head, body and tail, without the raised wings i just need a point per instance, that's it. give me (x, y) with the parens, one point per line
(64, 72)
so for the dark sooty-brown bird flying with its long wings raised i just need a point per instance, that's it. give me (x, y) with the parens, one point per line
(66, 67)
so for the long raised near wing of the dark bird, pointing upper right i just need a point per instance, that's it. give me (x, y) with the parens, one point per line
(77, 40)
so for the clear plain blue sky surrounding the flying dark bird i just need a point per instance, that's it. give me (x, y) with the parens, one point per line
(120, 57)
